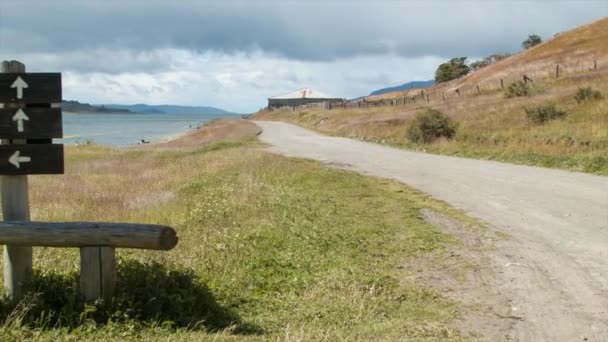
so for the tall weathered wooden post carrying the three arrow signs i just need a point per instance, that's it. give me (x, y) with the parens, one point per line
(15, 207)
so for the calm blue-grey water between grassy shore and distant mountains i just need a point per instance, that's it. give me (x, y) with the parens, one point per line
(128, 129)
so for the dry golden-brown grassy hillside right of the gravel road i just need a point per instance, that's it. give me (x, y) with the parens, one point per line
(491, 125)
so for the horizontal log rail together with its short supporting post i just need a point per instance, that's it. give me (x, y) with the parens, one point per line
(96, 241)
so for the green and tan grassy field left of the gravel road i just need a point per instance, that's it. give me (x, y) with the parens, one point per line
(271, 248)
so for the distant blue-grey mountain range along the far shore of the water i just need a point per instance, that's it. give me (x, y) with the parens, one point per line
(80, 107)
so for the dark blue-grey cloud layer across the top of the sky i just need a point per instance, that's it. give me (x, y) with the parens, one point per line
(302, 30)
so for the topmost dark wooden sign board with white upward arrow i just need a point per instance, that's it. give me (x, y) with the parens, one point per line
(30, 88)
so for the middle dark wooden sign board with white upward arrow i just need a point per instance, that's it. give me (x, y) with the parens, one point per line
(30, 123)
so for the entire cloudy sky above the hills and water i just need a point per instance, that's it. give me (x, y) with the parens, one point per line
(235, 54)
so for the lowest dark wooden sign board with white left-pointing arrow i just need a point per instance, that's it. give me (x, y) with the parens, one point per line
(31, 159)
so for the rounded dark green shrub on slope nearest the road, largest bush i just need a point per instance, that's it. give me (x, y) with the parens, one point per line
(430, 125)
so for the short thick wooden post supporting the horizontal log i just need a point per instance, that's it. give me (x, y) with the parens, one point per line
(97, 273)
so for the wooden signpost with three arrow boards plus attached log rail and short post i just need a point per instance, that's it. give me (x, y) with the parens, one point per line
(29, 120)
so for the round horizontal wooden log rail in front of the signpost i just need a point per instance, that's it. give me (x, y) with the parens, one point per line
(82, 234)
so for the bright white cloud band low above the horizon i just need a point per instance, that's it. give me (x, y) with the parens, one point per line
(241, 82)
